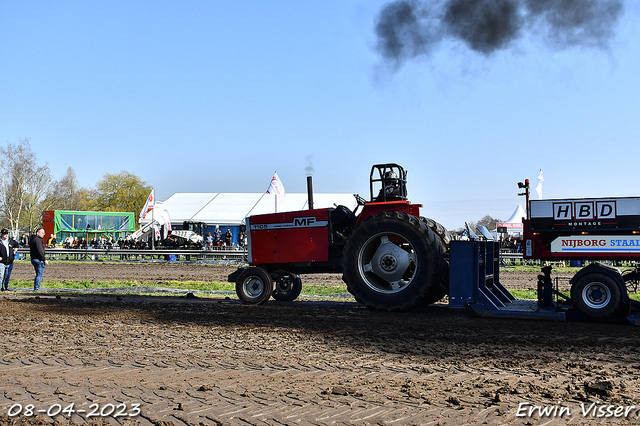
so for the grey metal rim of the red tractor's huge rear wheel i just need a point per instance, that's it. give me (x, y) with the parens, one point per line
(387, 262)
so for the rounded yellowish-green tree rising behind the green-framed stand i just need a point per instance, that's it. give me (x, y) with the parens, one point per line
(122, 192)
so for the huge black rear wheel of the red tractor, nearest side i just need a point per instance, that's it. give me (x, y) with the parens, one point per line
(392, 262)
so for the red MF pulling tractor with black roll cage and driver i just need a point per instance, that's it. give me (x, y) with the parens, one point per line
(391, 258)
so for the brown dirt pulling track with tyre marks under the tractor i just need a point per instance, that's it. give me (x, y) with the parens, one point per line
(203, 361)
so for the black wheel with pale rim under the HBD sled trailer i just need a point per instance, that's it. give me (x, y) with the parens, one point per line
(596, 295)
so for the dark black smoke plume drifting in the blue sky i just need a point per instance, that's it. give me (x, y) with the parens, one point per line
(406, 29)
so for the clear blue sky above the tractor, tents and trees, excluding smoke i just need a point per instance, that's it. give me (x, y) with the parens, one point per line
(214, 96)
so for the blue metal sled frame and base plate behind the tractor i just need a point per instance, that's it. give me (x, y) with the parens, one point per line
(474, 282)
